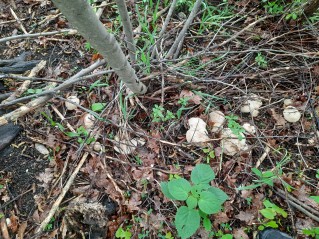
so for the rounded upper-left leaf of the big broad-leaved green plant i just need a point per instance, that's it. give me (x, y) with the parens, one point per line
(179, 188)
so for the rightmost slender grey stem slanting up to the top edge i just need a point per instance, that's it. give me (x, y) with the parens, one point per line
(180, 39)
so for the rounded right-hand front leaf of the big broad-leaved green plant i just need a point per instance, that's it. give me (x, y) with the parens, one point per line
(209, 203)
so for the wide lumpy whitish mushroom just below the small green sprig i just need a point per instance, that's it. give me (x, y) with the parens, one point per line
(230, 143)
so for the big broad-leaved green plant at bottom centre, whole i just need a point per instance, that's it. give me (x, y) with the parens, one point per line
(201, 199)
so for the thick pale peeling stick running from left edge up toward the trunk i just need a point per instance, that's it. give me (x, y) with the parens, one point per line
(12, 116)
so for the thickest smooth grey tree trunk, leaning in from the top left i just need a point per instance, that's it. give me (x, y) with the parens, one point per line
(80, 14)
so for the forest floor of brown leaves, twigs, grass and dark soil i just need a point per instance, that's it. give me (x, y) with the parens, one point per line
(234, 53)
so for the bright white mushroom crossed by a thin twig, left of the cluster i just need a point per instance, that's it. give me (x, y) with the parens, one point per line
(197, 132)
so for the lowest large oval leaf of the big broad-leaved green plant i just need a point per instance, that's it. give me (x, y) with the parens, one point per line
(187, 221)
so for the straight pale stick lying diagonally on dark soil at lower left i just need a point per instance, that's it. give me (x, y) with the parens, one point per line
(66, 188)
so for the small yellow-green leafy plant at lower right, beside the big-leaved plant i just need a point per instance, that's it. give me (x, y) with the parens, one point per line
(271, 211)
